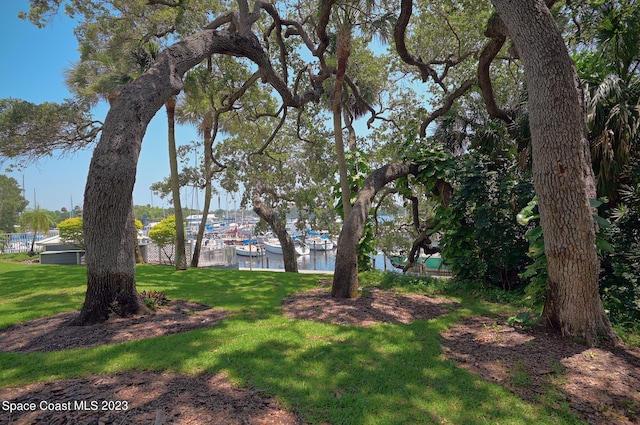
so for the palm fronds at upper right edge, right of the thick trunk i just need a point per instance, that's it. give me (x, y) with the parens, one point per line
(613, 93)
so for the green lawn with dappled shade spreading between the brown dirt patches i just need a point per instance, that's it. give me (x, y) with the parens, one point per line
(384, 374)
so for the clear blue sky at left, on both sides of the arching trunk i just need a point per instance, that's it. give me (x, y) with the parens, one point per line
(32, 68)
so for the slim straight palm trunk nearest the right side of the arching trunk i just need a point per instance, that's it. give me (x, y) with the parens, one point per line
(181, 256)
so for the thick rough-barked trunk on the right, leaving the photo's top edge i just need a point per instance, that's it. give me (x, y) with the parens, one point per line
(562, 171)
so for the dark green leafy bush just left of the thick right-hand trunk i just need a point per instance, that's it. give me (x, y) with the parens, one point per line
(482, 240)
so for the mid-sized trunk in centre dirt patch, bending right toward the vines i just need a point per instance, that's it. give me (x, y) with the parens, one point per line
(345, 276)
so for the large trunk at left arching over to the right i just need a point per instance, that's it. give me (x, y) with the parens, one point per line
(108, 221)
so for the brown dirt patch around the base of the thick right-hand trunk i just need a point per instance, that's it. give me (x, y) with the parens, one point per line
(603, 384)
